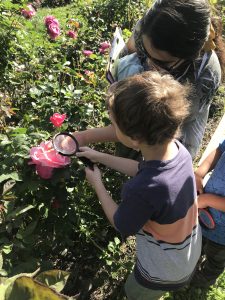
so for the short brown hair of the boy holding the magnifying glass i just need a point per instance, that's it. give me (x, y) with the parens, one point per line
(149, 107)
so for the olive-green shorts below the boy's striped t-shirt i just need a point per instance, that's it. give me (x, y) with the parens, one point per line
(135, 291)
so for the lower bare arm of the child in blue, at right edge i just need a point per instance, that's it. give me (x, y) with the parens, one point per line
(211, 200)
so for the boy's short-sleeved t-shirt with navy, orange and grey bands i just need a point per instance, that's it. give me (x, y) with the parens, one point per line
(159, 205)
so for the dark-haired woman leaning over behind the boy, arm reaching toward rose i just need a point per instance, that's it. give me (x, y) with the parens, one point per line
(177, 37)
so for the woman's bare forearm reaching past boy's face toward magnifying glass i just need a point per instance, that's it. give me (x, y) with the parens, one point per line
(95, 135)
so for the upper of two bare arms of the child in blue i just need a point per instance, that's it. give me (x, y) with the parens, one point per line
(206, 166)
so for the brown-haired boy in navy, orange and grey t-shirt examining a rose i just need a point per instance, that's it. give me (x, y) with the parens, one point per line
(159, 204)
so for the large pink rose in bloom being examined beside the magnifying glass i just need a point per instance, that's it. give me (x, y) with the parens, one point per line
(46, 158)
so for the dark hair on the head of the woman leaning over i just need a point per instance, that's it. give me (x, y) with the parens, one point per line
(179, 27)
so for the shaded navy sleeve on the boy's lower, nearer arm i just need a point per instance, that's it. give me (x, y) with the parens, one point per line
(133, 212)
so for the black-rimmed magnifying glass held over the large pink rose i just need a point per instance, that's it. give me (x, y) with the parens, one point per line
(66, 144)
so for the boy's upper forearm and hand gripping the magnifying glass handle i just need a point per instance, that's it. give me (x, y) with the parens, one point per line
(123, 165)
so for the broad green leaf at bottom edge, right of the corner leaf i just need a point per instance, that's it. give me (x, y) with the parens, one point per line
(55, 279)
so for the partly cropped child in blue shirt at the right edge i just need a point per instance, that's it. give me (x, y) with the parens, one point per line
(213, 197)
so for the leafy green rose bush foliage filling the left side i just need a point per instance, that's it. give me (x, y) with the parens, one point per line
(43, 221)
